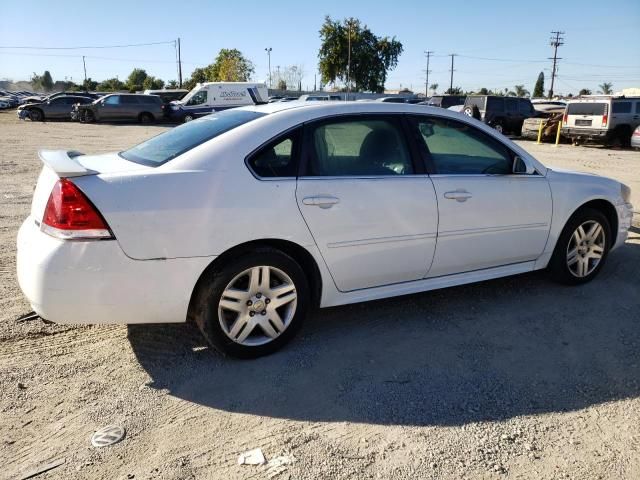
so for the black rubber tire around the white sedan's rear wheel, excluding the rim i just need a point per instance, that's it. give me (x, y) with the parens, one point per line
(216, 280)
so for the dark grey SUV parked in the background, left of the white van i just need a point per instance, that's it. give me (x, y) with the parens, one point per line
(122, 106)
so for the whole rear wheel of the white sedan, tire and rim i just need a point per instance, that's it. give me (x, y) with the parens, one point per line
(253, 305)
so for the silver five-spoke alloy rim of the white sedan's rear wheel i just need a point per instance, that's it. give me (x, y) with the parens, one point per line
(257, 305)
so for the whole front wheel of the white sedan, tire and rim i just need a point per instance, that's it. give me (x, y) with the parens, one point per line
(582, 248)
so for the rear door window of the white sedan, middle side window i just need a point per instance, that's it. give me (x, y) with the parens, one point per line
(370, 146)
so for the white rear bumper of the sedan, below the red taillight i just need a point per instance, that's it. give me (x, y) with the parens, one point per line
(93, 282)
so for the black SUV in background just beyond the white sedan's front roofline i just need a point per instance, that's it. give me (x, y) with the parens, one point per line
(505, 114)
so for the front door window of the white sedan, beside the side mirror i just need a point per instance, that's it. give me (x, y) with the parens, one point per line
(456, 148)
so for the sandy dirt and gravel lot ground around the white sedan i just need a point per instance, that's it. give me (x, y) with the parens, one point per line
(514, 378)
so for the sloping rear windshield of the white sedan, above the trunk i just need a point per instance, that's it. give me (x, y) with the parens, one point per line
(175, 142)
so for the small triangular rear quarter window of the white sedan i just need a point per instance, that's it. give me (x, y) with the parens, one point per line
(277, 159)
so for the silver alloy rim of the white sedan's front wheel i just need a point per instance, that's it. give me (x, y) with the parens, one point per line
(586, 248)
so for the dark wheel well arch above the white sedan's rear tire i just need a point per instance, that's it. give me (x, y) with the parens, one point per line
(295, 251)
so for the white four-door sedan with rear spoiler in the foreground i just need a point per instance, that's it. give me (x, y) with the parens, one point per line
(245, 219)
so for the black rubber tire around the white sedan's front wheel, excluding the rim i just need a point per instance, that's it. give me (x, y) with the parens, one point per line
(558, 265)
